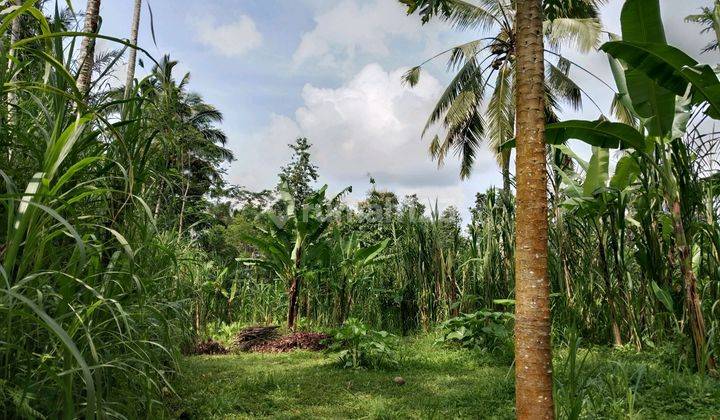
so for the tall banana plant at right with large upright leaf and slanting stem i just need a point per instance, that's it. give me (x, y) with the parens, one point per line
(663, 84)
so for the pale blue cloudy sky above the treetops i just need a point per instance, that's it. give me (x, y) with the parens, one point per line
(330, 70)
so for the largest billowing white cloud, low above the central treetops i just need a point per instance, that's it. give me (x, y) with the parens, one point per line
(369, 125)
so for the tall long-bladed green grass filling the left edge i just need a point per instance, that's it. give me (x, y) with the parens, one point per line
(93, 298)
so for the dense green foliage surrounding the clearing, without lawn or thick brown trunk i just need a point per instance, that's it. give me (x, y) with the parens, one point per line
(121, 245)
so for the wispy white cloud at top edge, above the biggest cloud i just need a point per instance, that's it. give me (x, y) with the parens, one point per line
(349, 28)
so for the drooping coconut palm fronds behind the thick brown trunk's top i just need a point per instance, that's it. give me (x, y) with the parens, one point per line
(489, 63)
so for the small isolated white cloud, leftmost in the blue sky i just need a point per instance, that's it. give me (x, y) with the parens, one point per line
(232, 39)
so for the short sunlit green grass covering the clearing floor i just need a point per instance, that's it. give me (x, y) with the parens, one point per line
(440, 383)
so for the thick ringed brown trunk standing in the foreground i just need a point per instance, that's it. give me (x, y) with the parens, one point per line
(533, 354)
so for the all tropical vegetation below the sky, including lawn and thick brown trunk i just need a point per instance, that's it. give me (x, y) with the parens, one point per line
(594, 276)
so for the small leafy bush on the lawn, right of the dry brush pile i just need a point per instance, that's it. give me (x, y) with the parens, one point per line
(357, 346)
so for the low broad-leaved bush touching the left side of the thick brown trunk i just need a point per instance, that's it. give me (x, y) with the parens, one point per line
(484, 329)
